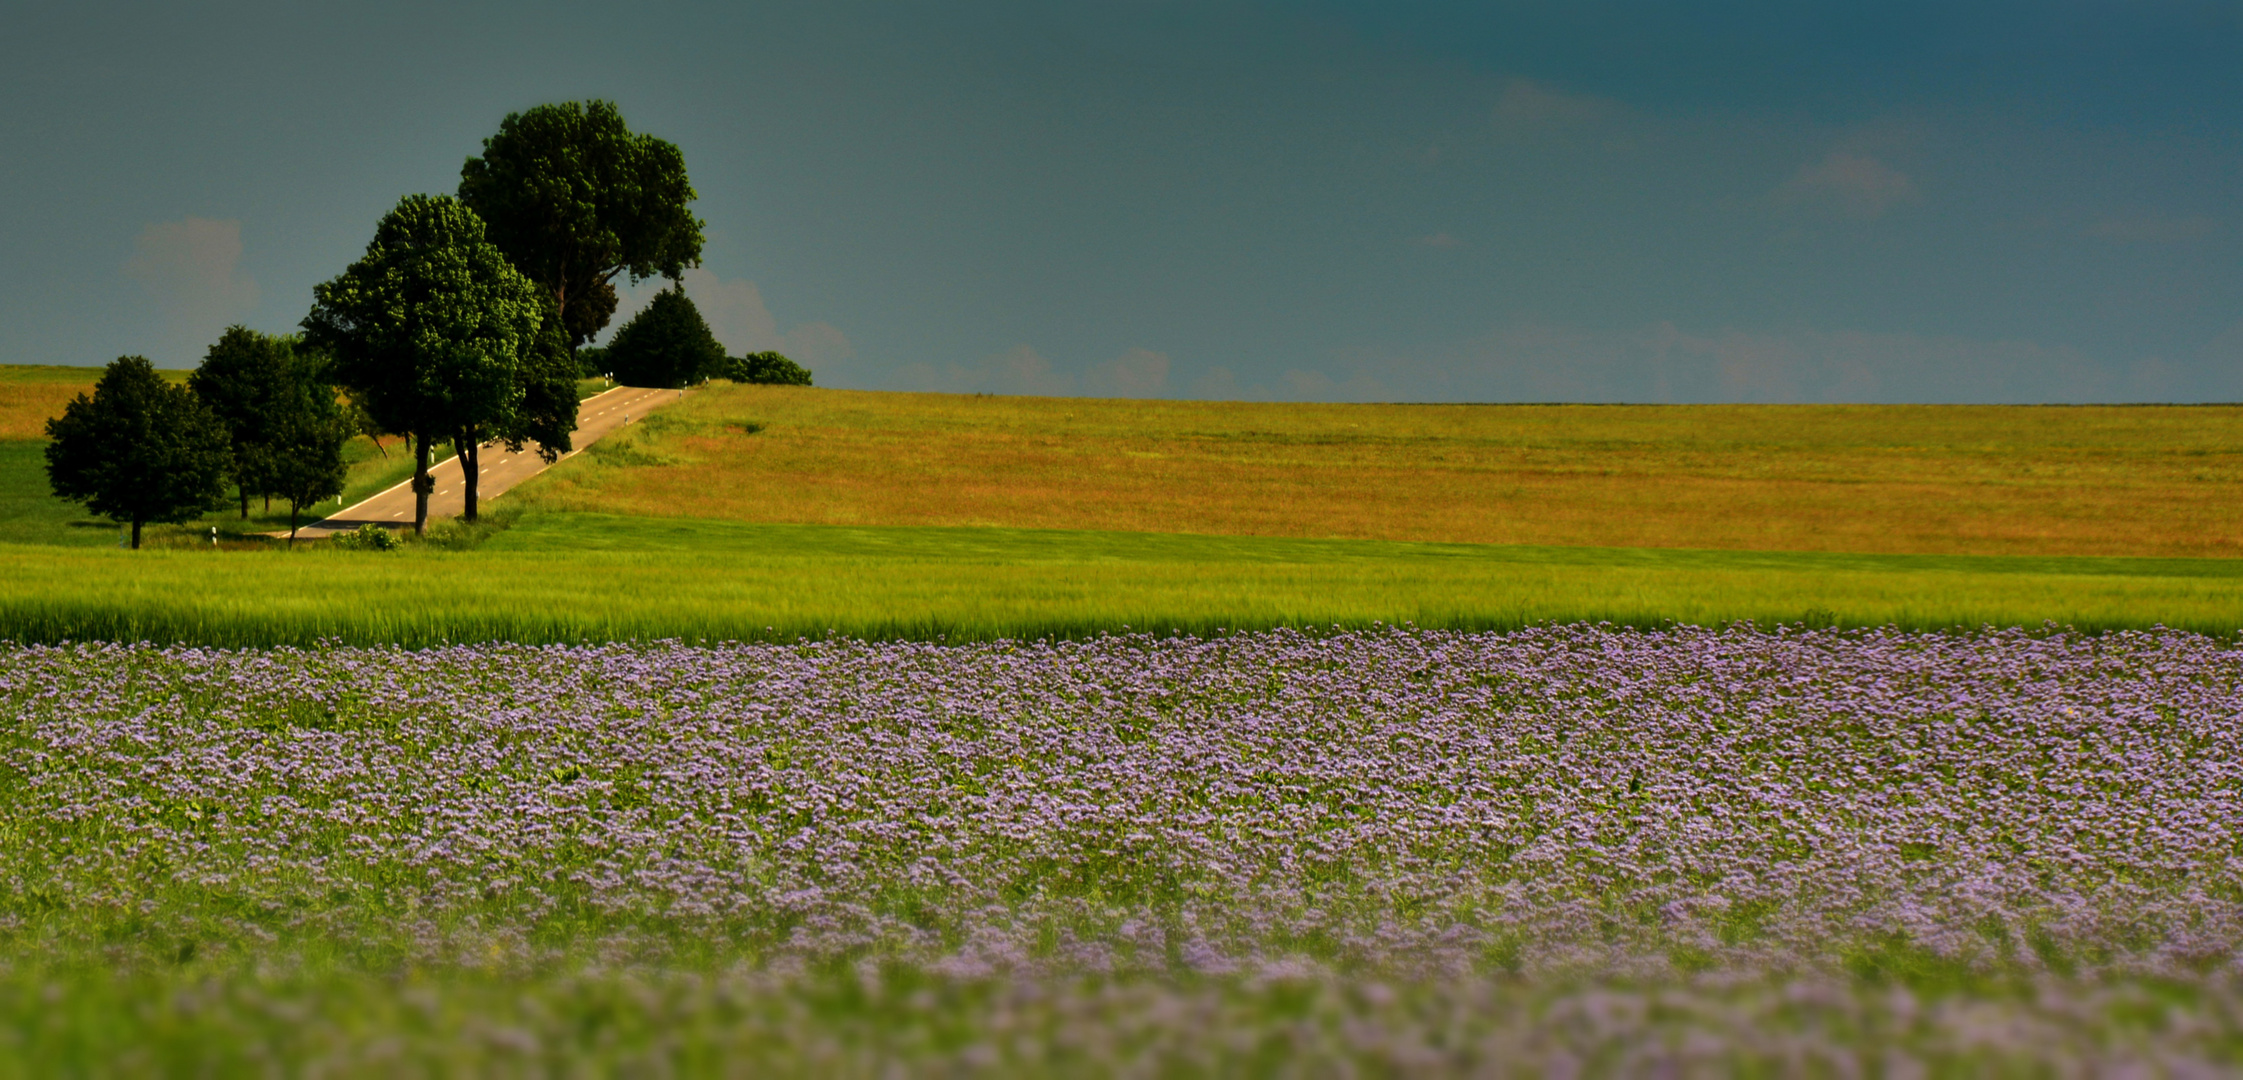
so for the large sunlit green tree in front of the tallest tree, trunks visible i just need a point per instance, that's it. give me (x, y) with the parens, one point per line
(430, 331)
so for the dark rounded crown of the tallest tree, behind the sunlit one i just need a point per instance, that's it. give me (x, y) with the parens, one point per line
(575, 199)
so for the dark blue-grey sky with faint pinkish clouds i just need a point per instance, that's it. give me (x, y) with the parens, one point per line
(1567, 201)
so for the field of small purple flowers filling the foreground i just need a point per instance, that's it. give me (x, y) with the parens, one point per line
(1564, 850)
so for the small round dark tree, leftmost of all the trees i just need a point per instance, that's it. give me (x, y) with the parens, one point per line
(138, 450)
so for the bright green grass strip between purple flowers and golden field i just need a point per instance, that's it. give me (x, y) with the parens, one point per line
(564, 578)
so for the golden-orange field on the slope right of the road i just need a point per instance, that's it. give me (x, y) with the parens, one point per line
(1822, 479)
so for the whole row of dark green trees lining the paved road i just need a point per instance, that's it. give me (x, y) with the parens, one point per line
(459, 324)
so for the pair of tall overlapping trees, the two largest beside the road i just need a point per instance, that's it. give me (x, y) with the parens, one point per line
(463, 318)
